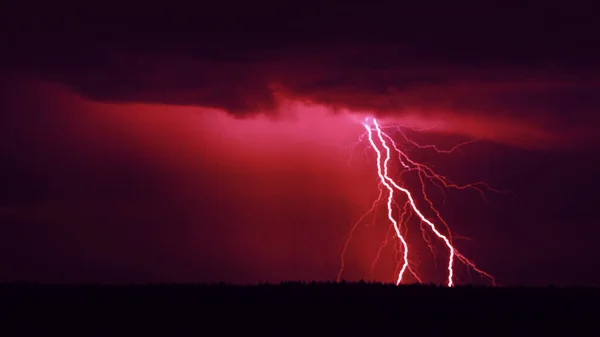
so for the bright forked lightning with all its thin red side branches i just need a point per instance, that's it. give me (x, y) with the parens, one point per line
(390, 185)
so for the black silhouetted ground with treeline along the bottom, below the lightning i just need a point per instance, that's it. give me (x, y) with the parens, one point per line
(297, 309)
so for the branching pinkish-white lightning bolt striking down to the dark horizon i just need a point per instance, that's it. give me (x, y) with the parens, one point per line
(382, 144)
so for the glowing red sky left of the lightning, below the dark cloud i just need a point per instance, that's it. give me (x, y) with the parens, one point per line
(241, 192)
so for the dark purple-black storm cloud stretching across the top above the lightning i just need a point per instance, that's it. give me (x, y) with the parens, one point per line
(533, 62)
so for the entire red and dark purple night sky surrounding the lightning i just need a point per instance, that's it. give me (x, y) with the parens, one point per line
(216, 143)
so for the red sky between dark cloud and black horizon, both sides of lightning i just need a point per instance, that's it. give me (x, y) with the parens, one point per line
(141, 191)
